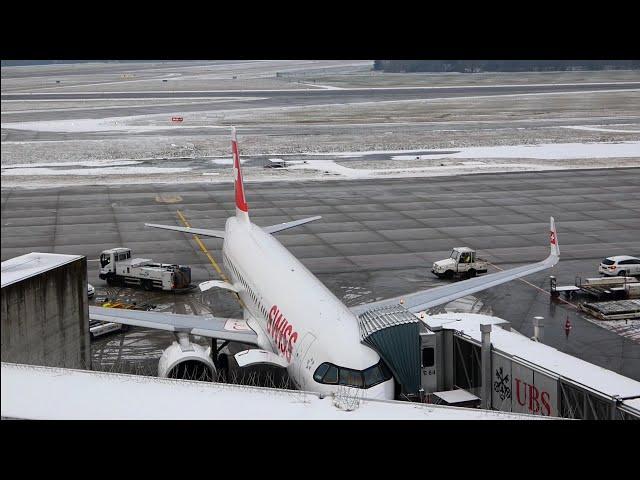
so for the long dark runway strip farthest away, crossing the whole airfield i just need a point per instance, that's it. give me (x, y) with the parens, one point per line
(242, 99)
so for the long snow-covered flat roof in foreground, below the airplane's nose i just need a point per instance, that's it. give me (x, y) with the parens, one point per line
(84, 394)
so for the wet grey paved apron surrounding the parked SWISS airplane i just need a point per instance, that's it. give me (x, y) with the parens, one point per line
(377, 238)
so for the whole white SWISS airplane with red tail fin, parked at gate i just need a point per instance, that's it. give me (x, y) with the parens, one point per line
(293, 319)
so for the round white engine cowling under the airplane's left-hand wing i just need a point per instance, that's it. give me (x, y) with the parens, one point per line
(187, 361)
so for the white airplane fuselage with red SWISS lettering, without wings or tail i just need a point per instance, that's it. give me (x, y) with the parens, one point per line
(293, 313)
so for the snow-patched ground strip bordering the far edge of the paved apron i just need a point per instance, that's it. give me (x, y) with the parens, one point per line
(332, 165)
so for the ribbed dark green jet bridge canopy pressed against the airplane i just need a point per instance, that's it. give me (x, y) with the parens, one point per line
(394, 332)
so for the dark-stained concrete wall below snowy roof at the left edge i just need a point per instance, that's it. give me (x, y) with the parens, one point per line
(45, 318)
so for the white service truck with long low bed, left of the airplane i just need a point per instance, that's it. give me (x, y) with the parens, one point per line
(118, 268)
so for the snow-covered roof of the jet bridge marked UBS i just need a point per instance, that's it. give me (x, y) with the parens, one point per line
(543, 356)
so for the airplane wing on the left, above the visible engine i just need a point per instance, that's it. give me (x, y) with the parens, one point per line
(205, 325)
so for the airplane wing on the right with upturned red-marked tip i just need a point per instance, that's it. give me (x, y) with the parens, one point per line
(419, 301)
